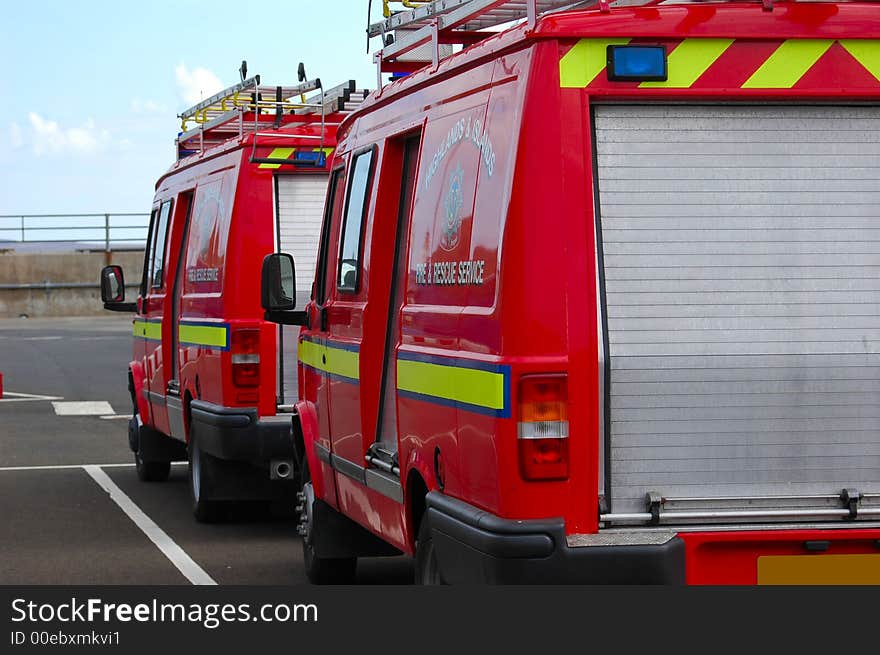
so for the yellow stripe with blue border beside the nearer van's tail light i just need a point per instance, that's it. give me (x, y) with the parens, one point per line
(455, 382)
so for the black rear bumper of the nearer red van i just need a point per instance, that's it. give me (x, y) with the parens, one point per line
(475, 546)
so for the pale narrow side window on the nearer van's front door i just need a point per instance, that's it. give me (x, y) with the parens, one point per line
(348, 271)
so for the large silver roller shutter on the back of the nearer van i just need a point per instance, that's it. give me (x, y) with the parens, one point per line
(741, 263)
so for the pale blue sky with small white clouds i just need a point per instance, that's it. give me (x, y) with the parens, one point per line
(93, 87)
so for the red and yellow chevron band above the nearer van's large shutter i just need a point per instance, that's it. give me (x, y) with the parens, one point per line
(703, 63)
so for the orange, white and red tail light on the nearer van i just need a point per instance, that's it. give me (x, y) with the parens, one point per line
(543, 427)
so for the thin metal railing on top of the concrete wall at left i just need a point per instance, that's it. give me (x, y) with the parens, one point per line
(107, 229)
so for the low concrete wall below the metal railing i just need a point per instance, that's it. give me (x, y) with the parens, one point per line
(60, 268)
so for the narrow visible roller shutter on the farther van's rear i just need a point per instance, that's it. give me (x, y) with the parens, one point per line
(300, 212)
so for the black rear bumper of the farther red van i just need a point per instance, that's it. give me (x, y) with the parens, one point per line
(239, 434)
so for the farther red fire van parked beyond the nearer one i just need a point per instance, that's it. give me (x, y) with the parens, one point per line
(208, 379)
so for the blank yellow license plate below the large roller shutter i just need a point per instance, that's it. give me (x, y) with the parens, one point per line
(819, 569)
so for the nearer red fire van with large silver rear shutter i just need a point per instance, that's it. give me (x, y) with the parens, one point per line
(597, 299)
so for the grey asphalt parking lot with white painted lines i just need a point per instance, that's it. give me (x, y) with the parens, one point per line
(72, 508)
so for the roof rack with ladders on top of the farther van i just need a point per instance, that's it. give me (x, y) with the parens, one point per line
(251, 107)
